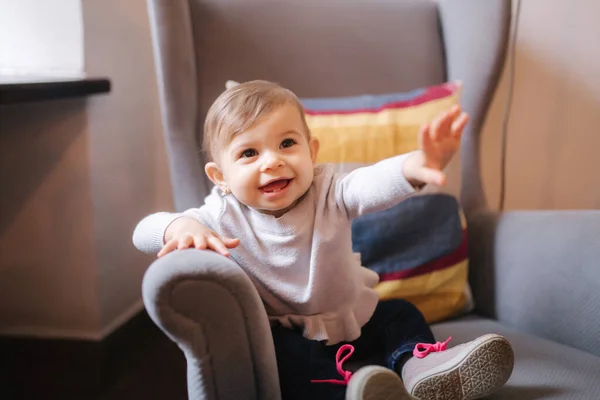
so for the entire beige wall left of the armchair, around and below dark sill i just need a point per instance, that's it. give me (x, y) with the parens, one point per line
(75, 178)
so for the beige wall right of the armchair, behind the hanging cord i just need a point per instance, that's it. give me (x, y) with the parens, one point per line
(554, 130)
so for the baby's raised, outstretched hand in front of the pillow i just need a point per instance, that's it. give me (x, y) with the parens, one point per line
(438, 143)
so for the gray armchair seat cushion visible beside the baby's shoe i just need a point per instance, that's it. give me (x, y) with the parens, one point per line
(543, 369)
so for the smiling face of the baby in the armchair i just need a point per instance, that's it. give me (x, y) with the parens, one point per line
(270, 166)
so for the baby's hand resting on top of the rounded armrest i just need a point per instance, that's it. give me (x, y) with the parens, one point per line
(185, 232)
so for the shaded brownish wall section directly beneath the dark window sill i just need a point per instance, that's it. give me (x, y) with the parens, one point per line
(47, 264)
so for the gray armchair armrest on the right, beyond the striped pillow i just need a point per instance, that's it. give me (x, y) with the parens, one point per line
(539, 271)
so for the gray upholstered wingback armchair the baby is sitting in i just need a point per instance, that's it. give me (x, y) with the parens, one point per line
(535, 275)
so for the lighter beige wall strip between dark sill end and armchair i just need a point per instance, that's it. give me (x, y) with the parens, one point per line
(129, 173)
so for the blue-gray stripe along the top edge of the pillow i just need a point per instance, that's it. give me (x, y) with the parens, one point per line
(358, 102)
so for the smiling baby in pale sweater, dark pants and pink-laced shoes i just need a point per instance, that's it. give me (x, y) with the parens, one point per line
(287, 222)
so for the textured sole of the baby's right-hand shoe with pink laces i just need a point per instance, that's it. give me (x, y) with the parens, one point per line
(484, 369)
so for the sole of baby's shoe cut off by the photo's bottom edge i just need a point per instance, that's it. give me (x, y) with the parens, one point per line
(376, 383)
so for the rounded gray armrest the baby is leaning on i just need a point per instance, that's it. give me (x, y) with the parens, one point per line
(207, 305)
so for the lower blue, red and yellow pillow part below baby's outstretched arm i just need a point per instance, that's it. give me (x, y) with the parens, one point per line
(419, 249)
